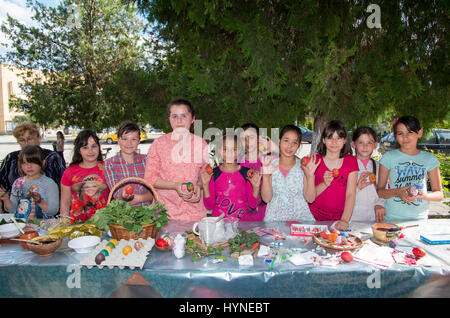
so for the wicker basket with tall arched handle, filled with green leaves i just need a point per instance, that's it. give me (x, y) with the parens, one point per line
(119, 232)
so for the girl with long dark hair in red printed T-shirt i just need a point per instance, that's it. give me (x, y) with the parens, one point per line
(85, 171)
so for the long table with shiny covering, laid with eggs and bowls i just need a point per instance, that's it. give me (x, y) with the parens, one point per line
(25, 274)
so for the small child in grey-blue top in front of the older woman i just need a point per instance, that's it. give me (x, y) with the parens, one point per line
(33, 195)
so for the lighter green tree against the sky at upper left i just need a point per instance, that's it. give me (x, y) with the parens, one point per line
(80, 47)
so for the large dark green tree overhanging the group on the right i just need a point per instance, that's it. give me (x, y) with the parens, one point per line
(272, 62)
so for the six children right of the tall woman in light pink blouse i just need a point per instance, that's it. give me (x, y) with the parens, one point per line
(332, 185)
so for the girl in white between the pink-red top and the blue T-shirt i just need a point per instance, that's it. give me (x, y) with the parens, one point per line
(368, 206)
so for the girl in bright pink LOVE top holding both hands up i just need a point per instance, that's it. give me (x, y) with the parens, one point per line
(230, 189)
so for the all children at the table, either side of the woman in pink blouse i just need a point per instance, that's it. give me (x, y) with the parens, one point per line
(332, 185)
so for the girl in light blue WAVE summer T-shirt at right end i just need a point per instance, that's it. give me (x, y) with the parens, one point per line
(408, 169)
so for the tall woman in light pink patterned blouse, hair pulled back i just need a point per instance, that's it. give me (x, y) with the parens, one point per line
(175, 159)
